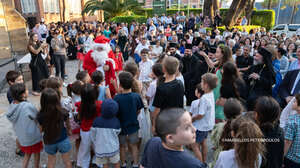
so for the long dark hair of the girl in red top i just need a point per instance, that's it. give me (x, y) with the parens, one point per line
(89, 95)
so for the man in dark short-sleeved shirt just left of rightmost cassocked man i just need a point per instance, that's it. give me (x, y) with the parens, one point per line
(244, 61)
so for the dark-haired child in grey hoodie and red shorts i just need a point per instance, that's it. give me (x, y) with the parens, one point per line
(22, 116)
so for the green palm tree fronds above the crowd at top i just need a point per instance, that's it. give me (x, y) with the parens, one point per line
(113, 8)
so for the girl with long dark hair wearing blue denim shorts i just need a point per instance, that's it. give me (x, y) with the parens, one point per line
(51, 119)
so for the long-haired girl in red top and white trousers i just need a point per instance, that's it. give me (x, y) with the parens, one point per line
(88, 109)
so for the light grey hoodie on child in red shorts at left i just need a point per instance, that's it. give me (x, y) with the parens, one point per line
(22, 116)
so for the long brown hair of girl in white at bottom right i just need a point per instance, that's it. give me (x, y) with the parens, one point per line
(247, 153)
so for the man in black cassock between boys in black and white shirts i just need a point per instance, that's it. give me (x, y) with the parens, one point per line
(189, 72)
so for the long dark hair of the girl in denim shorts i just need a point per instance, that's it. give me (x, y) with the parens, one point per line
(51, 114)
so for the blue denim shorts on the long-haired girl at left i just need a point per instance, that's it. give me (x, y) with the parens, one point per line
(63, 147)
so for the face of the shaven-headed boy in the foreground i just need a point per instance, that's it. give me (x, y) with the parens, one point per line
(185, 132)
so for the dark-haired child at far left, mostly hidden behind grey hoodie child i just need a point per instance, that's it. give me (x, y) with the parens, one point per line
(13, 77)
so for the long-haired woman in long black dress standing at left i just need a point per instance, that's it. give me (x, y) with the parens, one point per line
(37, 64)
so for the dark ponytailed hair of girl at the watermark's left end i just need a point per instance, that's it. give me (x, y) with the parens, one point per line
(232, 109)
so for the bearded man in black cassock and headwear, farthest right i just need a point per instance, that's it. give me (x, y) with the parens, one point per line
(259, 77)
